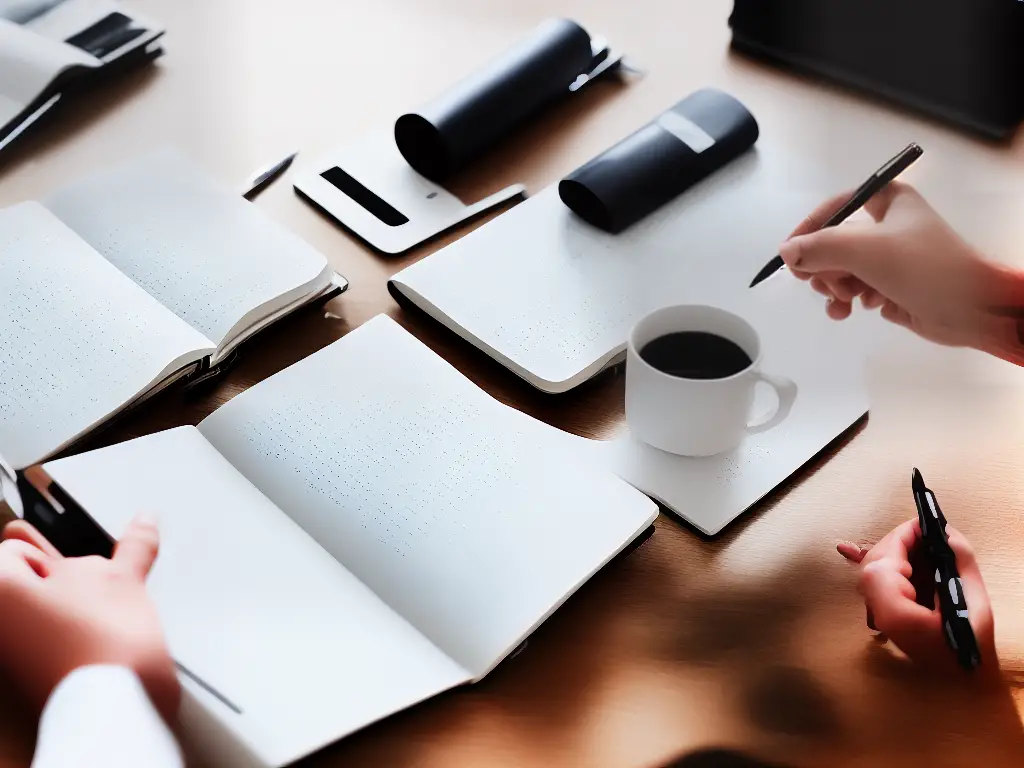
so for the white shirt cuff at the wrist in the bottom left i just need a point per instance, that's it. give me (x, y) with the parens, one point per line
(101, 717)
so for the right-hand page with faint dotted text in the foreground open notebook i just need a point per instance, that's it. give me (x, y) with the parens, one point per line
(464, 516)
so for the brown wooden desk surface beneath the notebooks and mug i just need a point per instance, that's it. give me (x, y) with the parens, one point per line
(756, 642)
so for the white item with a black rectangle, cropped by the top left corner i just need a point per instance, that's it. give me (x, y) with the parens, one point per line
(52, 48)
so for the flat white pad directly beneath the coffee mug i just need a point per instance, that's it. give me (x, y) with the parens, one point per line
(828, 363)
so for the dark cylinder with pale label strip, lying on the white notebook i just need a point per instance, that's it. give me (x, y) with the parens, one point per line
(695, 139)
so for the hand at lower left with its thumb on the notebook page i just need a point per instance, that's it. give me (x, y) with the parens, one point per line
(63, 614)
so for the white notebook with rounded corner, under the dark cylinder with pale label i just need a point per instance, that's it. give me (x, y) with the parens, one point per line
(556, 297)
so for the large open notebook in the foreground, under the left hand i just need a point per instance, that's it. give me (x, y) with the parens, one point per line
(351, 537)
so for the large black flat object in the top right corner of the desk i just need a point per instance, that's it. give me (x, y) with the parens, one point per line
(960, 61)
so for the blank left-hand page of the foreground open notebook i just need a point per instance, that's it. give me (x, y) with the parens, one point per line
(252, 606)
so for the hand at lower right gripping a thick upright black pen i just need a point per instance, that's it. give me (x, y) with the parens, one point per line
(901, 602)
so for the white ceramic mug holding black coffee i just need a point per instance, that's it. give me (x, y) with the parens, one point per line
(698, 417)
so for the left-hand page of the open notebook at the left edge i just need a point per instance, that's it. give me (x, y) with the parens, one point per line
(78, 340)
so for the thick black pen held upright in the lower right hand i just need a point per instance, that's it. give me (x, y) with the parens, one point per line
(943, 562)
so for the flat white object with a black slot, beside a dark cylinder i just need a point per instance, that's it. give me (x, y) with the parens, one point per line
(376, 164)
